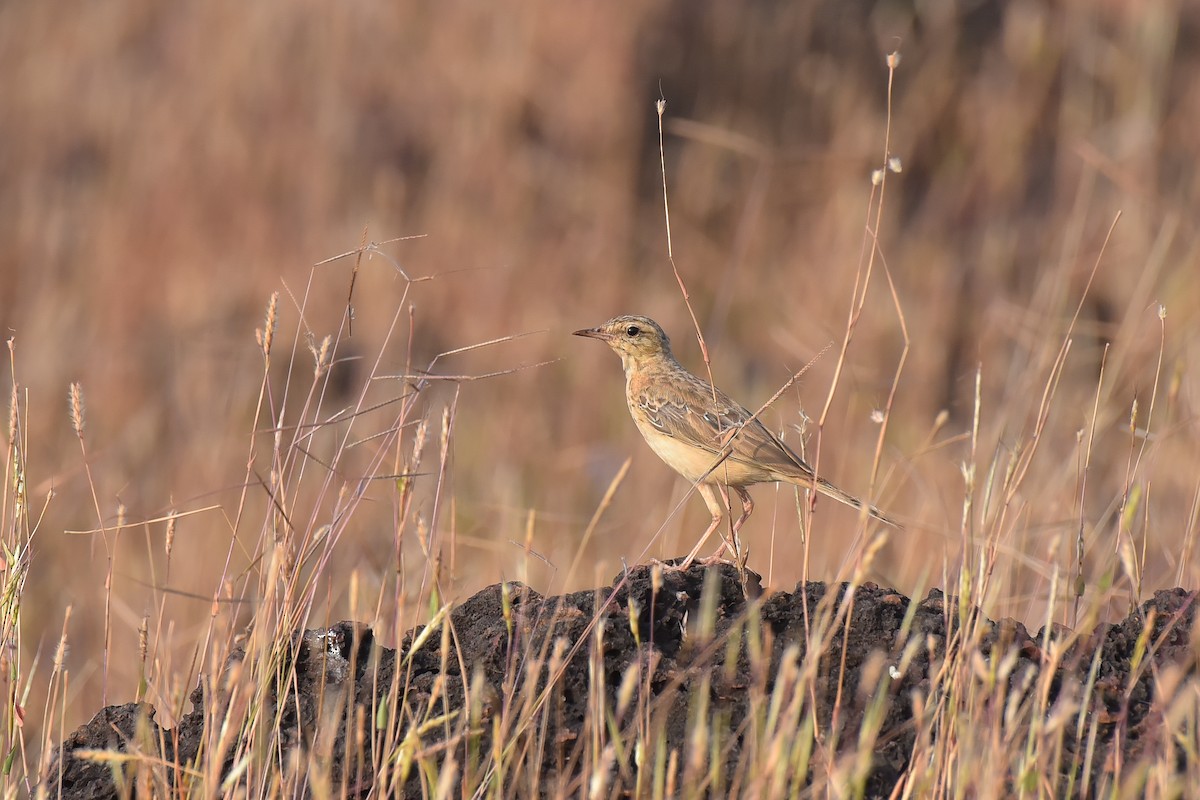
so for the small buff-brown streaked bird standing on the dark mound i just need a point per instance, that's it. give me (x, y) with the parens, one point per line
(699, 431)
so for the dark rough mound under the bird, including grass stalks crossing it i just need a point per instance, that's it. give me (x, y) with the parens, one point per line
(506, 645)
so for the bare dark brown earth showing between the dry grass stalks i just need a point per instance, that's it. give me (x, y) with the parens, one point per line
(346, 658)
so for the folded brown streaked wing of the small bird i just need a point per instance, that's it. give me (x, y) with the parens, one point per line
(688, 411)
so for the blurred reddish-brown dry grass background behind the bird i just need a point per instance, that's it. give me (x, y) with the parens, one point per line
(165, 169)
